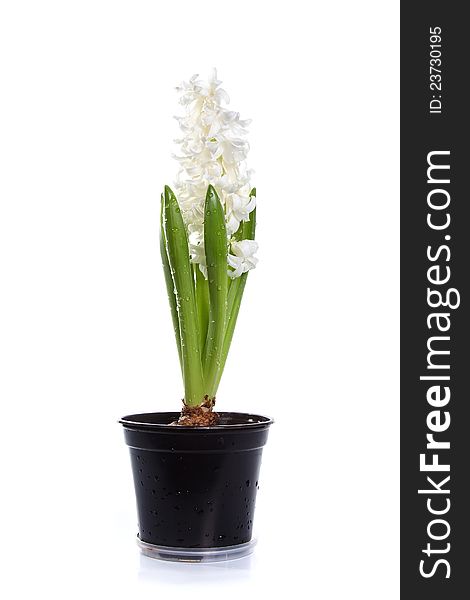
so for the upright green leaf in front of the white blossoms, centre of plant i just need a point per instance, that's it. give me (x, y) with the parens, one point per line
(215, 243)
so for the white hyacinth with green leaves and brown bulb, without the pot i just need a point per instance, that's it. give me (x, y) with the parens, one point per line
(207, 240)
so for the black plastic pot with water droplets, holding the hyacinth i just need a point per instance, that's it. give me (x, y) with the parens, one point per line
(195, 486)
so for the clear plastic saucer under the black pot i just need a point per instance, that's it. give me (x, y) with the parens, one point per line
(196, 555)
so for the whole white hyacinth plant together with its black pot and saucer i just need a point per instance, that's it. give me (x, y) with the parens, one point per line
(196, 472)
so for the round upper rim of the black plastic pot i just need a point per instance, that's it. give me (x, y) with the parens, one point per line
(139, 421)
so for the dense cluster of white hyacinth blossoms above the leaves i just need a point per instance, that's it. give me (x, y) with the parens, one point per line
(213, 150)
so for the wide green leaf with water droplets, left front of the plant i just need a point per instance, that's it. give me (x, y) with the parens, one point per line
(181, 271)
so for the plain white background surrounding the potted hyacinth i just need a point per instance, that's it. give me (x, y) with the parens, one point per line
(86, 134)
